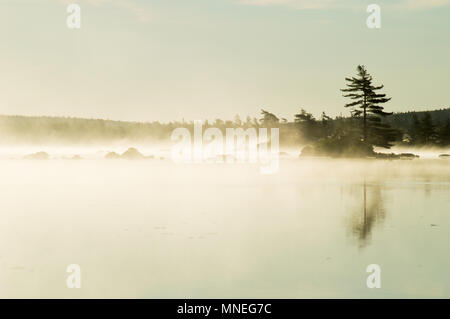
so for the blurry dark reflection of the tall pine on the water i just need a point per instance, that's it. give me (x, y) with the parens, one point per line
(368, 212)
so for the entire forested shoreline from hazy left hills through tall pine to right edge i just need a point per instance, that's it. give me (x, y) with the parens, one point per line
(366, 126)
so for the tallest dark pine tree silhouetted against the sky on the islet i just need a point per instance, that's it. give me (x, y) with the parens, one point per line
(367, 104)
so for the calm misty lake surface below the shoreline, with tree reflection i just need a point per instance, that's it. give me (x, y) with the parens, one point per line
(153, 229)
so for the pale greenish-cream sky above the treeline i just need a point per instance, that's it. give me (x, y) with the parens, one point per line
(148, 60)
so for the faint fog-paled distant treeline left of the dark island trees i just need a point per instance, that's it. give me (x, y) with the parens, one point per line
(27, 129)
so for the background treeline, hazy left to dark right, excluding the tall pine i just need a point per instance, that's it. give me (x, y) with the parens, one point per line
(413, 128)
